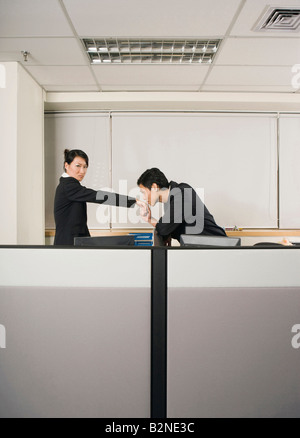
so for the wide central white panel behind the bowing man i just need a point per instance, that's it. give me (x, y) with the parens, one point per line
(232, 158)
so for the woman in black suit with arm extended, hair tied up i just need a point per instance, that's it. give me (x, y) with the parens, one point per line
(71, 198)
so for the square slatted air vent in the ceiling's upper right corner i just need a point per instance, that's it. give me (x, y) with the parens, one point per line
(279, 19)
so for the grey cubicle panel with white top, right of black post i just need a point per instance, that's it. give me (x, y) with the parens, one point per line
(232, 347)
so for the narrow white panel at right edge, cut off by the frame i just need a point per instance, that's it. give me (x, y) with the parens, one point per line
(289, 171)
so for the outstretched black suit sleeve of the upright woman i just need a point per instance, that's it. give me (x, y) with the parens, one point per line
(75, 192)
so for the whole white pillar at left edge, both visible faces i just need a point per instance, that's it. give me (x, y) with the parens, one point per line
(21, 146)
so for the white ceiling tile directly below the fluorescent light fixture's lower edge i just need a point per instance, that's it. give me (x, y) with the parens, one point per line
(169, 75)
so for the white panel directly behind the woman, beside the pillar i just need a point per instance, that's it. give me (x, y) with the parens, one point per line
(90, 133)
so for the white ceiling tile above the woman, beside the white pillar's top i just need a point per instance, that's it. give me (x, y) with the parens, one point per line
(57, 75)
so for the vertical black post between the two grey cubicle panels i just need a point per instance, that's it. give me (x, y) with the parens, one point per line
(159, 333)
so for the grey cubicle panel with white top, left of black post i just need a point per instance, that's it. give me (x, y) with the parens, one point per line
(77, 333)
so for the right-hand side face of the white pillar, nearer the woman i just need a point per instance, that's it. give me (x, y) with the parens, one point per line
(30, 161)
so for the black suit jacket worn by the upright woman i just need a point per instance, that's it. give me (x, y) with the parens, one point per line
(70, 208)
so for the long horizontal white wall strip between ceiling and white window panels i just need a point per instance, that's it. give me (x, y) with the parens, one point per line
(172, 101)
